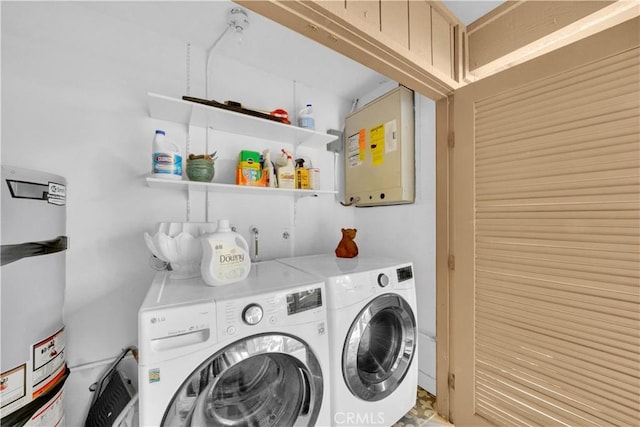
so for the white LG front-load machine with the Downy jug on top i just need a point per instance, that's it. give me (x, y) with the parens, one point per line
(251, 353)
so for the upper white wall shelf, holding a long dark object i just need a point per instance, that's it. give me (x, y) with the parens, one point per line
(200, 115)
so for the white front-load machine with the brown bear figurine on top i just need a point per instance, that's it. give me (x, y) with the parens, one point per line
(371, 305)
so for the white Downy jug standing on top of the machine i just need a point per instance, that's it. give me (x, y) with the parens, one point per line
(225, 256)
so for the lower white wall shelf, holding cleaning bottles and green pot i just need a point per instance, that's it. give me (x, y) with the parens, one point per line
(168, 184)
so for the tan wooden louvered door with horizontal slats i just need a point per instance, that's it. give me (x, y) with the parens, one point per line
(545, 294)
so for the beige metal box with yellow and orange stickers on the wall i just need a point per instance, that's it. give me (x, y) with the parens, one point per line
(379, 159)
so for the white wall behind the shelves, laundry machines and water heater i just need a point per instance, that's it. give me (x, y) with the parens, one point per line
(74, 86)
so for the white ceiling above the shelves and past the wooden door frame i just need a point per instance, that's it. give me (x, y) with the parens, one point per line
(266, 45)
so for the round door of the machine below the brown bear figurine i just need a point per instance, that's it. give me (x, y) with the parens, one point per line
(379, 347)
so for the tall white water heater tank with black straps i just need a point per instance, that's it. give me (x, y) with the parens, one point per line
(32, 286)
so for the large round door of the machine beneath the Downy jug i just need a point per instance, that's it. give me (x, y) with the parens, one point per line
(263, 380)
